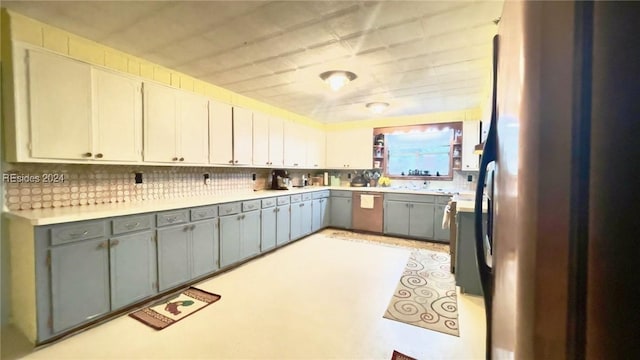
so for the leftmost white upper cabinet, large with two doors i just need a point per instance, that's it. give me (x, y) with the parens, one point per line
(69, 111)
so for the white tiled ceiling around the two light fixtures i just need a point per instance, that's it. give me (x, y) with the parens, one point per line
(420, 56)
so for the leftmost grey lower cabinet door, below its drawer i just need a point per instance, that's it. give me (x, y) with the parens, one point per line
(79, 282)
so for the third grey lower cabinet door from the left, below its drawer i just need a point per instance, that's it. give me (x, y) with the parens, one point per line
(173, 256)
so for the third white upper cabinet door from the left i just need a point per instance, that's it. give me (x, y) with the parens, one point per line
(160, 114)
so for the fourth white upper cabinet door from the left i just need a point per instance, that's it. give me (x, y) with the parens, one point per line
(193, 129)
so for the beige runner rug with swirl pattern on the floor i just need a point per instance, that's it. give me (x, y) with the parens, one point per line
(426, 294)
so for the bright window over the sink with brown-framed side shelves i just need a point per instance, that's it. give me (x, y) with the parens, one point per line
(429, 151)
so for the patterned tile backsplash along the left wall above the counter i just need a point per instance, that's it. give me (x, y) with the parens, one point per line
(101, 184)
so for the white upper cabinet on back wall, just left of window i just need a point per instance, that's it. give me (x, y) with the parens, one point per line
(349, 148)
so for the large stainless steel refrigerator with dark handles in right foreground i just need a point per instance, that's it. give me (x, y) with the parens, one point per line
(564, 186)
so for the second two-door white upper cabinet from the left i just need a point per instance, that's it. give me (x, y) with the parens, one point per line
(175, 124)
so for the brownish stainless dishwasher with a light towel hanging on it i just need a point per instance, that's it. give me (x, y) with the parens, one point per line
(366, 211)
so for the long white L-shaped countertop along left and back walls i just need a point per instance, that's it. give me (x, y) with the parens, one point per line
(89, 212)
